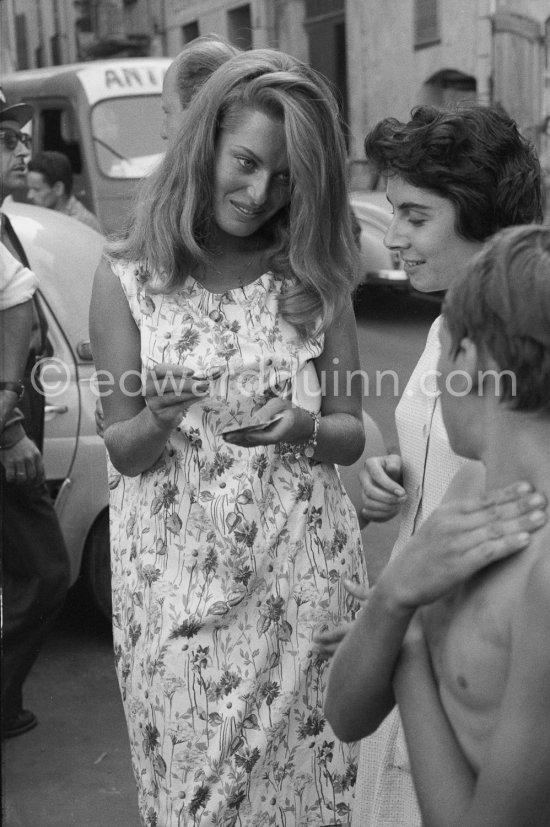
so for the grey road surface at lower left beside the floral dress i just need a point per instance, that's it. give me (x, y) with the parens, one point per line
(74, 769)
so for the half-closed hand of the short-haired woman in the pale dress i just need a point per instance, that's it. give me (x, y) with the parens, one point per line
(381, 488)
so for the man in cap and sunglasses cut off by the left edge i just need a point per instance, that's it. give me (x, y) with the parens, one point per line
(35, 566)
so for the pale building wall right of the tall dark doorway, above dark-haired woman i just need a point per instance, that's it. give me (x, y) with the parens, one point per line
(406, 52)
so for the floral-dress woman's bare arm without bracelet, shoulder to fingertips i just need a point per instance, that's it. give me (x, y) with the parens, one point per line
(138, 421)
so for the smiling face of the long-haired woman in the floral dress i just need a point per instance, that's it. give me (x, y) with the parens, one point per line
(251, 173)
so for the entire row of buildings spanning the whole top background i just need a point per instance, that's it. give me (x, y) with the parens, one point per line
(382, 56)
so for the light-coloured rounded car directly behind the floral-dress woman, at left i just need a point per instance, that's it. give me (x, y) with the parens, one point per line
(64, 253)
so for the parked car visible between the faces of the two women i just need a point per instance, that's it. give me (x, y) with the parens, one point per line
(379, 266)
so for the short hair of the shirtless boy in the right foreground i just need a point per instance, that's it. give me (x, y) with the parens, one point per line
(502, 303)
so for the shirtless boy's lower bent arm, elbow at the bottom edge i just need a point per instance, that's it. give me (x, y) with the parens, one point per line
(513, 786)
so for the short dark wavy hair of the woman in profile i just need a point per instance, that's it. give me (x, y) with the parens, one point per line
(474, 156)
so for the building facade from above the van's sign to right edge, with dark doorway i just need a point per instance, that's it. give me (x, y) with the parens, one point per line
(384, 57)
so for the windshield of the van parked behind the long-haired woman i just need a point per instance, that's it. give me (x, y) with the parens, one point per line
(126, 135)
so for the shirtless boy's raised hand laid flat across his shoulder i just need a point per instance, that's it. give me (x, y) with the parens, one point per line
(460, 538)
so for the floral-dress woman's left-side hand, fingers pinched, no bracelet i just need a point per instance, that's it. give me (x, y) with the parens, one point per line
(170, 390)
